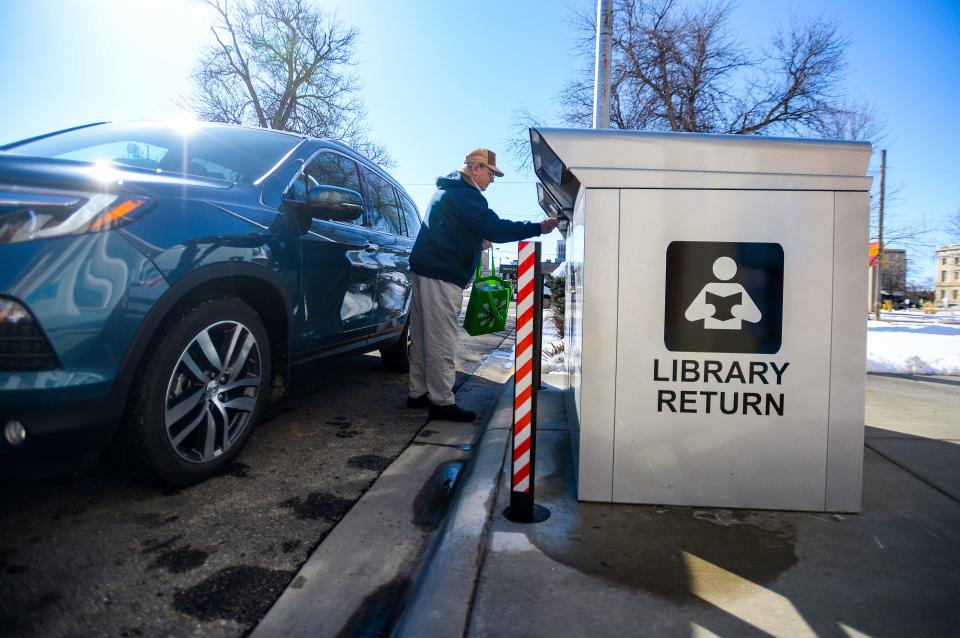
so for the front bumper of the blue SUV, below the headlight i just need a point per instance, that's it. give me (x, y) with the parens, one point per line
(89, 295)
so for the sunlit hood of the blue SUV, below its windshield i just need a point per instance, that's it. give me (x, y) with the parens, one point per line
(20, 170)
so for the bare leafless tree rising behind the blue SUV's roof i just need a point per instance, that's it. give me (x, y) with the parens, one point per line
(286, 65)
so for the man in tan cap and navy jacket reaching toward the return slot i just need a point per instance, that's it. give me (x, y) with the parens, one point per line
(458, 225)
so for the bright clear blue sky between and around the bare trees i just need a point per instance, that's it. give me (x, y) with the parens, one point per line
(441, 78)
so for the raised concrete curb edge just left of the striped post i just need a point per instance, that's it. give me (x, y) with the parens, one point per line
(444, 586)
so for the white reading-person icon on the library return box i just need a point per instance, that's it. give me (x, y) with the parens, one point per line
(723, 306)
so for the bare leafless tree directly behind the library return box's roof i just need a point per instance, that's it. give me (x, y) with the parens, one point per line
(676, 67)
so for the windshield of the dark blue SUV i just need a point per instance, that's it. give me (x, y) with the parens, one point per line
(221, 152)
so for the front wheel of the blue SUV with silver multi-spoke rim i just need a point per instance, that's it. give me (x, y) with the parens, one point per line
(199, 394)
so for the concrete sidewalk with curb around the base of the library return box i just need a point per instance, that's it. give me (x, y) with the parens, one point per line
(630, 570)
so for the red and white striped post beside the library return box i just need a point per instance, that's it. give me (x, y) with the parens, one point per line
(526, 384)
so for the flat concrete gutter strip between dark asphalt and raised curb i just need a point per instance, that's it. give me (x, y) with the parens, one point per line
(354, 582)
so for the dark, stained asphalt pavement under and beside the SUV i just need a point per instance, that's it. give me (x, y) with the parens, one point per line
(94, 554)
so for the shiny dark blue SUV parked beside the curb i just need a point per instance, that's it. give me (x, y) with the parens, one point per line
(158, 283)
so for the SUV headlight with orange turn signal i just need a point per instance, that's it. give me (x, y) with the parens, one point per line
(29, 215)
